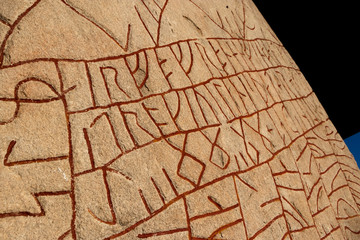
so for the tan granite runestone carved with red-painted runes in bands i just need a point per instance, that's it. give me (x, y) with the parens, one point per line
(163, 119)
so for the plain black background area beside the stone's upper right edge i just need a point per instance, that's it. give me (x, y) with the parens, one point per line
(322, 38)
